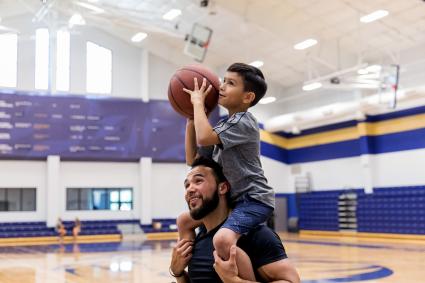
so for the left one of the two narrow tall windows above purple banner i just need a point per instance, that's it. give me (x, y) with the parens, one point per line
(42, 58)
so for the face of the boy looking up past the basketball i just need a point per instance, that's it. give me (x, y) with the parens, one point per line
(232, 94)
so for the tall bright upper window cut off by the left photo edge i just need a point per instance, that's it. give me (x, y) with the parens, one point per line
(8, 59)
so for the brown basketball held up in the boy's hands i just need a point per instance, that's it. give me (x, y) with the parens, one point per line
(184, 78)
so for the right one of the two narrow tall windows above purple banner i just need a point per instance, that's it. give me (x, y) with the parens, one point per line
(62, 60)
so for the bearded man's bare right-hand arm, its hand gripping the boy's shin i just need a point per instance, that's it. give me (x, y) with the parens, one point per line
(280, 271)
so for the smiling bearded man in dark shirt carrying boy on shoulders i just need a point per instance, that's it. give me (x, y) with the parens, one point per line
(206, 195)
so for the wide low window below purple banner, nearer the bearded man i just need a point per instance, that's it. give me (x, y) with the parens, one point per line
(99, 199)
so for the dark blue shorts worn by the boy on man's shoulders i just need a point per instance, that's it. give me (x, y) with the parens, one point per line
(247, 214)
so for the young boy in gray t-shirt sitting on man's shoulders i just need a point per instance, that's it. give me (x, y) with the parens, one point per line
(234, 143)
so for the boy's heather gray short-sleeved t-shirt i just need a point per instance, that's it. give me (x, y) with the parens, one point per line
(239, 155)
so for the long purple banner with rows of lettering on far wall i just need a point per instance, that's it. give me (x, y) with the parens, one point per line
(81, 128)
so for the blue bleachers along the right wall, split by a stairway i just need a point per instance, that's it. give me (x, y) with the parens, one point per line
(397, 210)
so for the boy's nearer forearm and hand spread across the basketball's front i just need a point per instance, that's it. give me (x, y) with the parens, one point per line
(205, 134)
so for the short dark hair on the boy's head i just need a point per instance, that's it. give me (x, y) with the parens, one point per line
(253, 79)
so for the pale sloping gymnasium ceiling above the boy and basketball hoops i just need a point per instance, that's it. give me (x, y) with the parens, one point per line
(266, 30)
